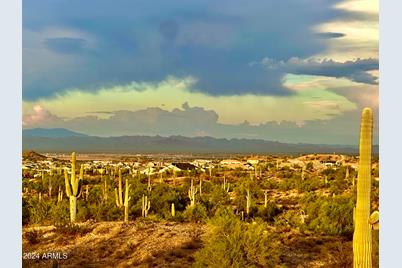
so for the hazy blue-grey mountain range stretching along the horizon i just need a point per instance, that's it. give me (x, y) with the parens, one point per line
(64, 140)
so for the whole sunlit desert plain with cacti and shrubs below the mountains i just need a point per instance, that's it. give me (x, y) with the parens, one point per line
(279, 211)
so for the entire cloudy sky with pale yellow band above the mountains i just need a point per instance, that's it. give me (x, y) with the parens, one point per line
(295, 71)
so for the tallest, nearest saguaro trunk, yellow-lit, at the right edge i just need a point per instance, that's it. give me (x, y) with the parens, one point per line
(362, 233)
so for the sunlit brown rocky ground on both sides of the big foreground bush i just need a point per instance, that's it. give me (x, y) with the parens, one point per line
(159, 244)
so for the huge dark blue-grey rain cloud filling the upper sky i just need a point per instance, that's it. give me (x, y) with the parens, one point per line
(213, 41)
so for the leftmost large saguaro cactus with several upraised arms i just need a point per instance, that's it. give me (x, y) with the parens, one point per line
(73, 186)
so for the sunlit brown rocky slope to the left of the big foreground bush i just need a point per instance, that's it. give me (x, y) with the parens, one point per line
(114, 244)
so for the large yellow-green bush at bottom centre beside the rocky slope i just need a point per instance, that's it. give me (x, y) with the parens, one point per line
(230, 242)
